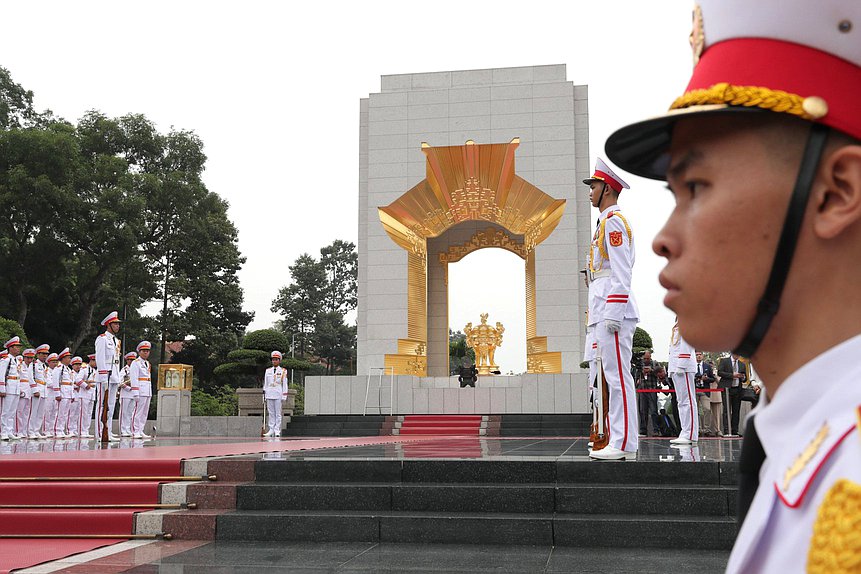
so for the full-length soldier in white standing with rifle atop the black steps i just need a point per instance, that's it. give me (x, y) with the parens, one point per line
(613, 311)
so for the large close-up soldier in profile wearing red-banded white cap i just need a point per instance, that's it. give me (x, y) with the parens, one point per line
(762, 153)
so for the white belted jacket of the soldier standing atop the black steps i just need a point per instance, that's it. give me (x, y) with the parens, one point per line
(611, 260)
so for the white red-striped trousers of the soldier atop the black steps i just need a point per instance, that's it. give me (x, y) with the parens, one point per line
(615, 349)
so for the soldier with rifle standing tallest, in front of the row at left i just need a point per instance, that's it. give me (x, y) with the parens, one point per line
(108, 376)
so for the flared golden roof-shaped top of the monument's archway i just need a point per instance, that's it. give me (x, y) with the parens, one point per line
(471, 182)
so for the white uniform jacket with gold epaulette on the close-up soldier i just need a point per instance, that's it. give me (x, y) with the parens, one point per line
(810, 483)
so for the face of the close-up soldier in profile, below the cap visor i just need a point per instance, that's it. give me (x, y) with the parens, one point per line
(719, 241)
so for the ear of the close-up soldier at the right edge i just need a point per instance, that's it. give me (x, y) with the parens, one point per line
(837, 192)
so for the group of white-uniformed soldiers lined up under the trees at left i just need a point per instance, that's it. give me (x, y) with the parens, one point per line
(51, 395)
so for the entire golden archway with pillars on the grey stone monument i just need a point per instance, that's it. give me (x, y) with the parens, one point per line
(471, 182)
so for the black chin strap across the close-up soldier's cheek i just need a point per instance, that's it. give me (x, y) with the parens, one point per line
(770, 301)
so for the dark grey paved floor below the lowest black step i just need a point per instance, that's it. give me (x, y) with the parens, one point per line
(273, 557)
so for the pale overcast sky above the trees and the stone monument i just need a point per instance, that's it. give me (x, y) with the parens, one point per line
(273, 90)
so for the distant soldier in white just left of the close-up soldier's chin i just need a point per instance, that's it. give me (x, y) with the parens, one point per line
(682, 367)
